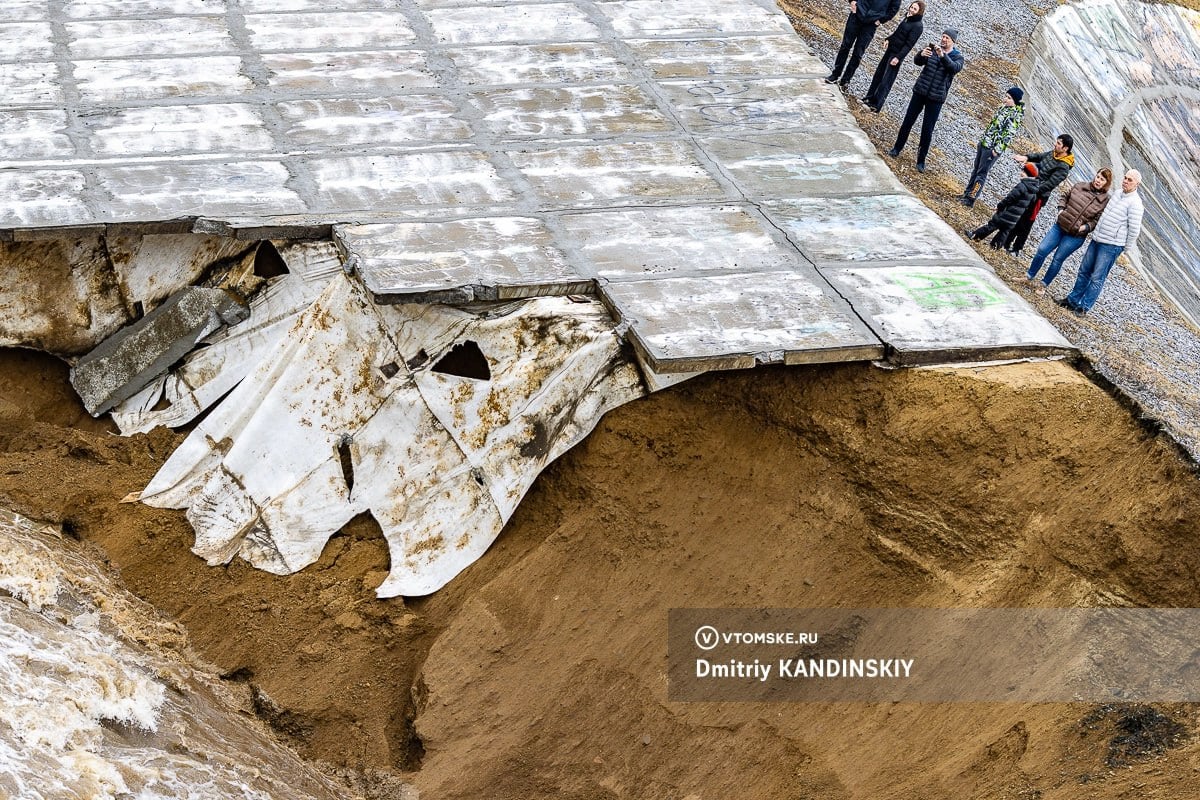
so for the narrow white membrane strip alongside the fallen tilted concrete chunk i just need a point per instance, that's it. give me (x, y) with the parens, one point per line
(209, 372)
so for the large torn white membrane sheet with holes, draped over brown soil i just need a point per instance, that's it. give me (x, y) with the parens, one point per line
(440, 460)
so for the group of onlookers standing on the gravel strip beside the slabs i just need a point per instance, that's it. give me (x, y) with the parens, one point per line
(1088, 208)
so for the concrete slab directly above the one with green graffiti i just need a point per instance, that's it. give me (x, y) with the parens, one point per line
(884, 230)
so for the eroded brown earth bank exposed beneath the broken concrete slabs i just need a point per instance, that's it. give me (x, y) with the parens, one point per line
(541, 672)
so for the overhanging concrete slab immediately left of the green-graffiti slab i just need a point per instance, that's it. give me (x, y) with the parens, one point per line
(737, 322)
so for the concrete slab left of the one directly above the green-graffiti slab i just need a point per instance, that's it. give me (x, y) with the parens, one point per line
(639, 244)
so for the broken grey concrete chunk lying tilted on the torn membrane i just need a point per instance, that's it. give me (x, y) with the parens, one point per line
(128, 362)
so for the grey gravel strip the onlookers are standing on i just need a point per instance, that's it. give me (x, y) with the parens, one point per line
(1132, 338)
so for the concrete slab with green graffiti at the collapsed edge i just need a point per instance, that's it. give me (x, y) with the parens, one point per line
(931, 315)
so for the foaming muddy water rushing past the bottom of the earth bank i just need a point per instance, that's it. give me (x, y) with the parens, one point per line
(98, 699)
